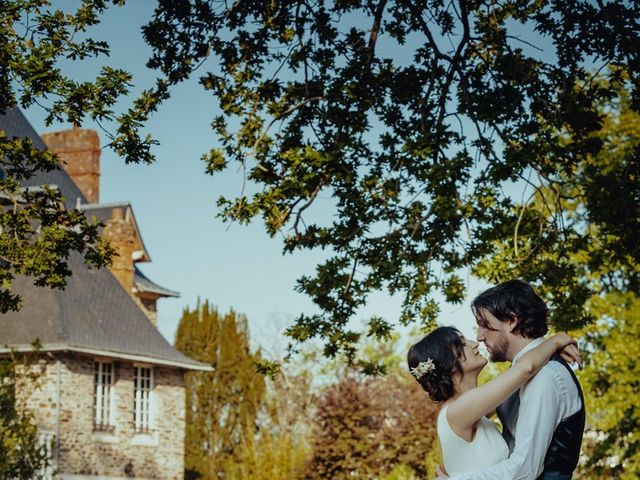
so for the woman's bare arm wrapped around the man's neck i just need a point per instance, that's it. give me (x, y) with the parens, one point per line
(467, 409)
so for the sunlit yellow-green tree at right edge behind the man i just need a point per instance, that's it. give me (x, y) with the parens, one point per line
(608, 269)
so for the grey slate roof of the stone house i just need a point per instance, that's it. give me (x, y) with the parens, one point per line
(94, 314)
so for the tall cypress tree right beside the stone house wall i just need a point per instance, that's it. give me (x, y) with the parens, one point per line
(223, 405)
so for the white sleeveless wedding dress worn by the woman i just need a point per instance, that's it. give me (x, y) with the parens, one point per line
(459, 456)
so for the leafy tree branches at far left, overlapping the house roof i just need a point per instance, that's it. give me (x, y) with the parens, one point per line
(37, 232)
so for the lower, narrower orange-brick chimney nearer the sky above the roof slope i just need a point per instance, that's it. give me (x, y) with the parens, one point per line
(119, 232)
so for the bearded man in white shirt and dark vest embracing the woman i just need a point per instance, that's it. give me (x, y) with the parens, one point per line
(544, 420)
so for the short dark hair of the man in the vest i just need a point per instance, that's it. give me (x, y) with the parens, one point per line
(513, 298)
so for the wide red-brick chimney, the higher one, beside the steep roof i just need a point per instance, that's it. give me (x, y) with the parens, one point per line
(79, 152)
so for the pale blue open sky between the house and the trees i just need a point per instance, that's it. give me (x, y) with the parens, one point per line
(192, 251)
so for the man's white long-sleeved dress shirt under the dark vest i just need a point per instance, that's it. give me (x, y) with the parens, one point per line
(545, 400)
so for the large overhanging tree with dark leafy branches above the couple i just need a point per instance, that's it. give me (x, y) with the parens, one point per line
(418, 120)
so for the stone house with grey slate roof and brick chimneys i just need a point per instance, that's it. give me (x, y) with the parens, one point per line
(112, 401)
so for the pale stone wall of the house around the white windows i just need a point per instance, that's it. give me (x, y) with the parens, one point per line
(123, 453)
